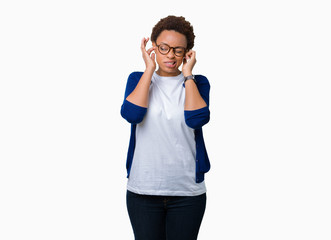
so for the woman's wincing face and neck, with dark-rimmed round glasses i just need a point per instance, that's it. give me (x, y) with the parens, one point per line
(169, 62)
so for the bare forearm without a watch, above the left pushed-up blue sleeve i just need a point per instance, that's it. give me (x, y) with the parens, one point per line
(140, 94)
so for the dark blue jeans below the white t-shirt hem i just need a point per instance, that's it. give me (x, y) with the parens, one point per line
(165, 217)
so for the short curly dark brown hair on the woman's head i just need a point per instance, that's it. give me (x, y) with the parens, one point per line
(178, 24)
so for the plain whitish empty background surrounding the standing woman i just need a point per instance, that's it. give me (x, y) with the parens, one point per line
(63, 70)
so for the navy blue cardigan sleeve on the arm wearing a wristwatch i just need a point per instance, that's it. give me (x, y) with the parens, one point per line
(197, 118)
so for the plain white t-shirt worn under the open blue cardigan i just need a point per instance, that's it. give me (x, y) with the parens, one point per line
(164, 156)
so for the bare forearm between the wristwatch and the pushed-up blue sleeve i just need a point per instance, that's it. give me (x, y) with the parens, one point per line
(193, 99)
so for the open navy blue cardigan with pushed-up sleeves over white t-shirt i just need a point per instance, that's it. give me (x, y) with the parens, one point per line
(195, 119)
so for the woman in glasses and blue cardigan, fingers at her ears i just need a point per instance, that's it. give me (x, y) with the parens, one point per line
(167, 158)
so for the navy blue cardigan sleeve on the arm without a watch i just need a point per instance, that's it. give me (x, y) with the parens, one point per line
(132, 113)
